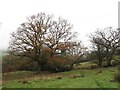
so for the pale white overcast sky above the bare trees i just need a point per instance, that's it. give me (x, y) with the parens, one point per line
(85, 15)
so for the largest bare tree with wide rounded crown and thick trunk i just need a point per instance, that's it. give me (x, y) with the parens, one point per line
(42, 38)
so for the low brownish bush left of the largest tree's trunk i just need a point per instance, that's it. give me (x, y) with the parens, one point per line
(14, 63)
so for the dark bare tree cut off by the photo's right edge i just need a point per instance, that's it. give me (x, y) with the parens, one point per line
(109, 41)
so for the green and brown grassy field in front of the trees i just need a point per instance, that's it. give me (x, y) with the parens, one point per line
(82, 78)
